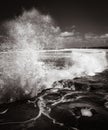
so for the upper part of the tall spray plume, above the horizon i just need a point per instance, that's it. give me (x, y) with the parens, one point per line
(32, 30)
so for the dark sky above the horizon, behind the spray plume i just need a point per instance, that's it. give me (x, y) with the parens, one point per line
(86, 16)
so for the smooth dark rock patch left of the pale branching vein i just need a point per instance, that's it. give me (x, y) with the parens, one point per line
(18, 111)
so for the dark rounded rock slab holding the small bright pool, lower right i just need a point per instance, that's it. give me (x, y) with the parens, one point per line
(73, 113)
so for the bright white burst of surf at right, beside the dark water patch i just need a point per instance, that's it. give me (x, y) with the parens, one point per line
(89, 62)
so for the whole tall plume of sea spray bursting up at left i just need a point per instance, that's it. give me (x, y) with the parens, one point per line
(20, 65)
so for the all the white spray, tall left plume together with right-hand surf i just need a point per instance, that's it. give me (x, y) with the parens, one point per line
(23, 70)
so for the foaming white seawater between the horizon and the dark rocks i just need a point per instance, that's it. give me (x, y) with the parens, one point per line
(27, 72)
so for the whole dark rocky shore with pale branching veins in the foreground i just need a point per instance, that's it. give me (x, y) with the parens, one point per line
(78, 104)
